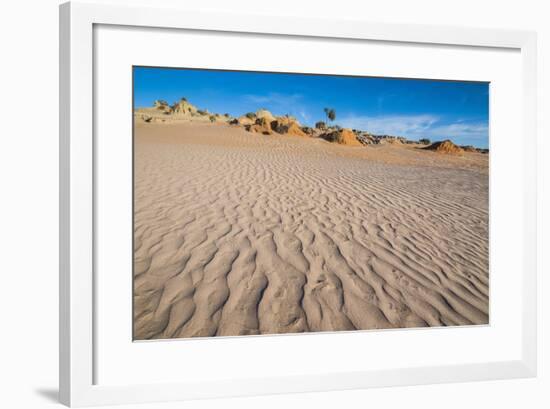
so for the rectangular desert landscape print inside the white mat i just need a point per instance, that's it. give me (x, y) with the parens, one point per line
(277, 203)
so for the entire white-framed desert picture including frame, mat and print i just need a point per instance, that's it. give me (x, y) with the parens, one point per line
(256, 204)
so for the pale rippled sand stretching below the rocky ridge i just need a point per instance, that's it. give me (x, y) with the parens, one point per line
(238, 233)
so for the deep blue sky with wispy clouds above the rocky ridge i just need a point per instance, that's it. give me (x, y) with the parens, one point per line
(404, 107)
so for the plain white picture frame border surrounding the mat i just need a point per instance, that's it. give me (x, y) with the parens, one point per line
(77, 241)
